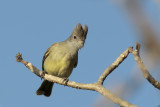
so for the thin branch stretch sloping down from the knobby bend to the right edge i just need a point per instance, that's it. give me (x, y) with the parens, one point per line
(144, 70)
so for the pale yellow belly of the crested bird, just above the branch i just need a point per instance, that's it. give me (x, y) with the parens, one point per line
(58, 65)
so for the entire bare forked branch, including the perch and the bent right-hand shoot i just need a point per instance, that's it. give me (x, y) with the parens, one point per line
(98, 86)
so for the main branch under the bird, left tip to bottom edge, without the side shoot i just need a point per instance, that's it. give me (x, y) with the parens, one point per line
(94, 87)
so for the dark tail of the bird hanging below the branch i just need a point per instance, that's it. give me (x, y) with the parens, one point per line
(45, 88)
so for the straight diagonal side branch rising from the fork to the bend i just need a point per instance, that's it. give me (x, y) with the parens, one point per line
(114, 65)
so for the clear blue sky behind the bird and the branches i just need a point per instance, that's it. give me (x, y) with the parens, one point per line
(31, 26)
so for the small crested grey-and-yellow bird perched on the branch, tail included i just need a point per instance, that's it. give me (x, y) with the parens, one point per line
(62, 57)
